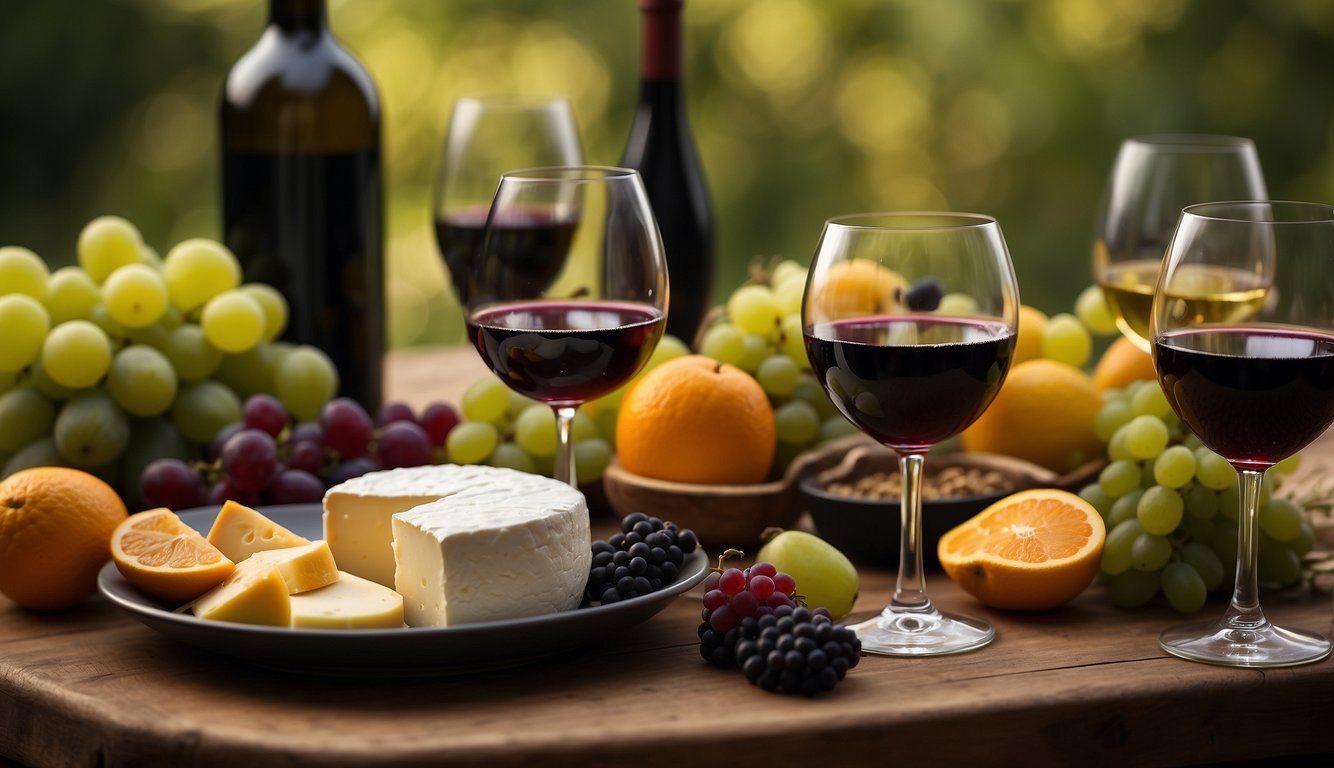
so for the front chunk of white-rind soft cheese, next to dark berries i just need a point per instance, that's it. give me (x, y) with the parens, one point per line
(505, 547)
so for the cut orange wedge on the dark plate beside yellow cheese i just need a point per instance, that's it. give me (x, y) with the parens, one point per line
(166, 559)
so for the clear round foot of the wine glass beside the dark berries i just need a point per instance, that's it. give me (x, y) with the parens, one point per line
(898, 633)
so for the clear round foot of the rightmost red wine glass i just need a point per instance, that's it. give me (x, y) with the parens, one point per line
(1267, 646)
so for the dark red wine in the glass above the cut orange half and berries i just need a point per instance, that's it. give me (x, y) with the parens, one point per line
(912, 382)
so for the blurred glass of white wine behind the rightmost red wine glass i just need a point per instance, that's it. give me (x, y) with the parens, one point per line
(1153, 179)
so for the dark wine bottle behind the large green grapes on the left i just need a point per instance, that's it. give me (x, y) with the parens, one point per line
(302, 189)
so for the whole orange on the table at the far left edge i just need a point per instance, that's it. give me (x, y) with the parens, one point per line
(55, 535)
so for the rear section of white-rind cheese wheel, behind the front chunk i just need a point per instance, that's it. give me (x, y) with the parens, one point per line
(357, 514)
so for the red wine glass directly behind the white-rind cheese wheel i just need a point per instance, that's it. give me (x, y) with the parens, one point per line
(569, 295)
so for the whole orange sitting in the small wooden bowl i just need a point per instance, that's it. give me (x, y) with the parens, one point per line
(697, 421)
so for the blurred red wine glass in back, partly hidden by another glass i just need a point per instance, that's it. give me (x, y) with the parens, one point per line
(488, 138)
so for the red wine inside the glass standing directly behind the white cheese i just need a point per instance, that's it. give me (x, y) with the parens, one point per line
(566, 353)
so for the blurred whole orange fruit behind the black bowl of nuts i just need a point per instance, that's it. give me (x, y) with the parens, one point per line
(1044, 414)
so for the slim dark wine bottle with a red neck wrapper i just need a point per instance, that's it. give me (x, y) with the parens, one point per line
(664, 151)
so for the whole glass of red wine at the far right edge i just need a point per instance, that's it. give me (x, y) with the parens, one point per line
(1255, 391)
